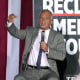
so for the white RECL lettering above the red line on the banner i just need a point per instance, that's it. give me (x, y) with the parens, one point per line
(63, 4)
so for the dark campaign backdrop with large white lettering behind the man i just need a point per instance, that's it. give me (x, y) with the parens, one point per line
(66, 20)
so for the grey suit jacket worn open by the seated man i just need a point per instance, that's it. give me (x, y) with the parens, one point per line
(55, 43)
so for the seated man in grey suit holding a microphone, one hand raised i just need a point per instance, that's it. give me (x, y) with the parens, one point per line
(43, 46)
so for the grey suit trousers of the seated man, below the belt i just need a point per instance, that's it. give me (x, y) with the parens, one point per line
(34, 74)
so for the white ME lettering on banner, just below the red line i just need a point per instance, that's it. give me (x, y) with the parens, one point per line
(72, 26)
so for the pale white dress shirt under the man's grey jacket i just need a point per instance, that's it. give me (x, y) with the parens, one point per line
(35, 50)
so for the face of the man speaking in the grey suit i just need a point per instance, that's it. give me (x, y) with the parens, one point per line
(44, 20)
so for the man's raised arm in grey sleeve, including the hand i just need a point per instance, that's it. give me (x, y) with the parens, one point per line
(13, 30)
